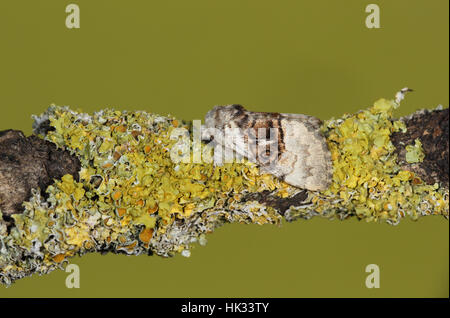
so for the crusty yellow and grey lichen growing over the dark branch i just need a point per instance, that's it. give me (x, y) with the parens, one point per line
(133, 198)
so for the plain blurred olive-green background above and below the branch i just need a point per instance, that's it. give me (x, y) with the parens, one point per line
(183, 57)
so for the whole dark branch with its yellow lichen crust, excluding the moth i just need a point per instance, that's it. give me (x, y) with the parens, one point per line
(107, 182)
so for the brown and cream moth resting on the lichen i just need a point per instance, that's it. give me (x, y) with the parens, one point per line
(288, 146)
